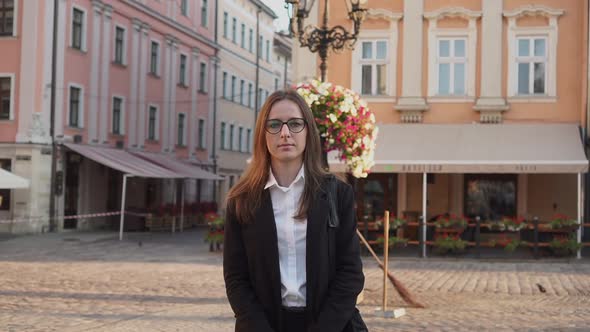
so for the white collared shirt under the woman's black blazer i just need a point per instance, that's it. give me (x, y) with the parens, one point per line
(291, 234)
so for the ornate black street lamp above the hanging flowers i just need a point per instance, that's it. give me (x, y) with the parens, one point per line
(322, 39)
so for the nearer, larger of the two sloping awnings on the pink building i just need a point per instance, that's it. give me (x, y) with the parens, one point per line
(123, 161)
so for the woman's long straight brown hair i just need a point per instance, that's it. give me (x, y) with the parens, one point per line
(246, 196)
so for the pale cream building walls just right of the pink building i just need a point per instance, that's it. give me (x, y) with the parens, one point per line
(236, 60)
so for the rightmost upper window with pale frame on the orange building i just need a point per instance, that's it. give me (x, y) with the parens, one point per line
(531, 62)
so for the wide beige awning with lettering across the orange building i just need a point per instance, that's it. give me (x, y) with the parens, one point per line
(477, 148)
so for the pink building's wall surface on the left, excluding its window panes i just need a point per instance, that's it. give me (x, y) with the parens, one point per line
(27, 60)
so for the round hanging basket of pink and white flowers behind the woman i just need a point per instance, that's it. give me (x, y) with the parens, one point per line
(345, 123)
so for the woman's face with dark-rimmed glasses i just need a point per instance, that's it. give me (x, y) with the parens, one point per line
(288, 143)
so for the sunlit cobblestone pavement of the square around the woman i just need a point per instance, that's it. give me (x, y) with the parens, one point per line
(93, 282)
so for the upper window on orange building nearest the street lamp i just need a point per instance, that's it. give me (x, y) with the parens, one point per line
(374, 67)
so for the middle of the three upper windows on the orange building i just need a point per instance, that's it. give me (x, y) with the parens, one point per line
(452, 66)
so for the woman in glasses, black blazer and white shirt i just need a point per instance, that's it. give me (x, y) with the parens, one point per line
(280, 273)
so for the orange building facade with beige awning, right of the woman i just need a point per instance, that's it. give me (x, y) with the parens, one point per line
(472, 98)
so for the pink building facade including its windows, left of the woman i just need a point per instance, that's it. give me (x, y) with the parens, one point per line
(134, 75)
